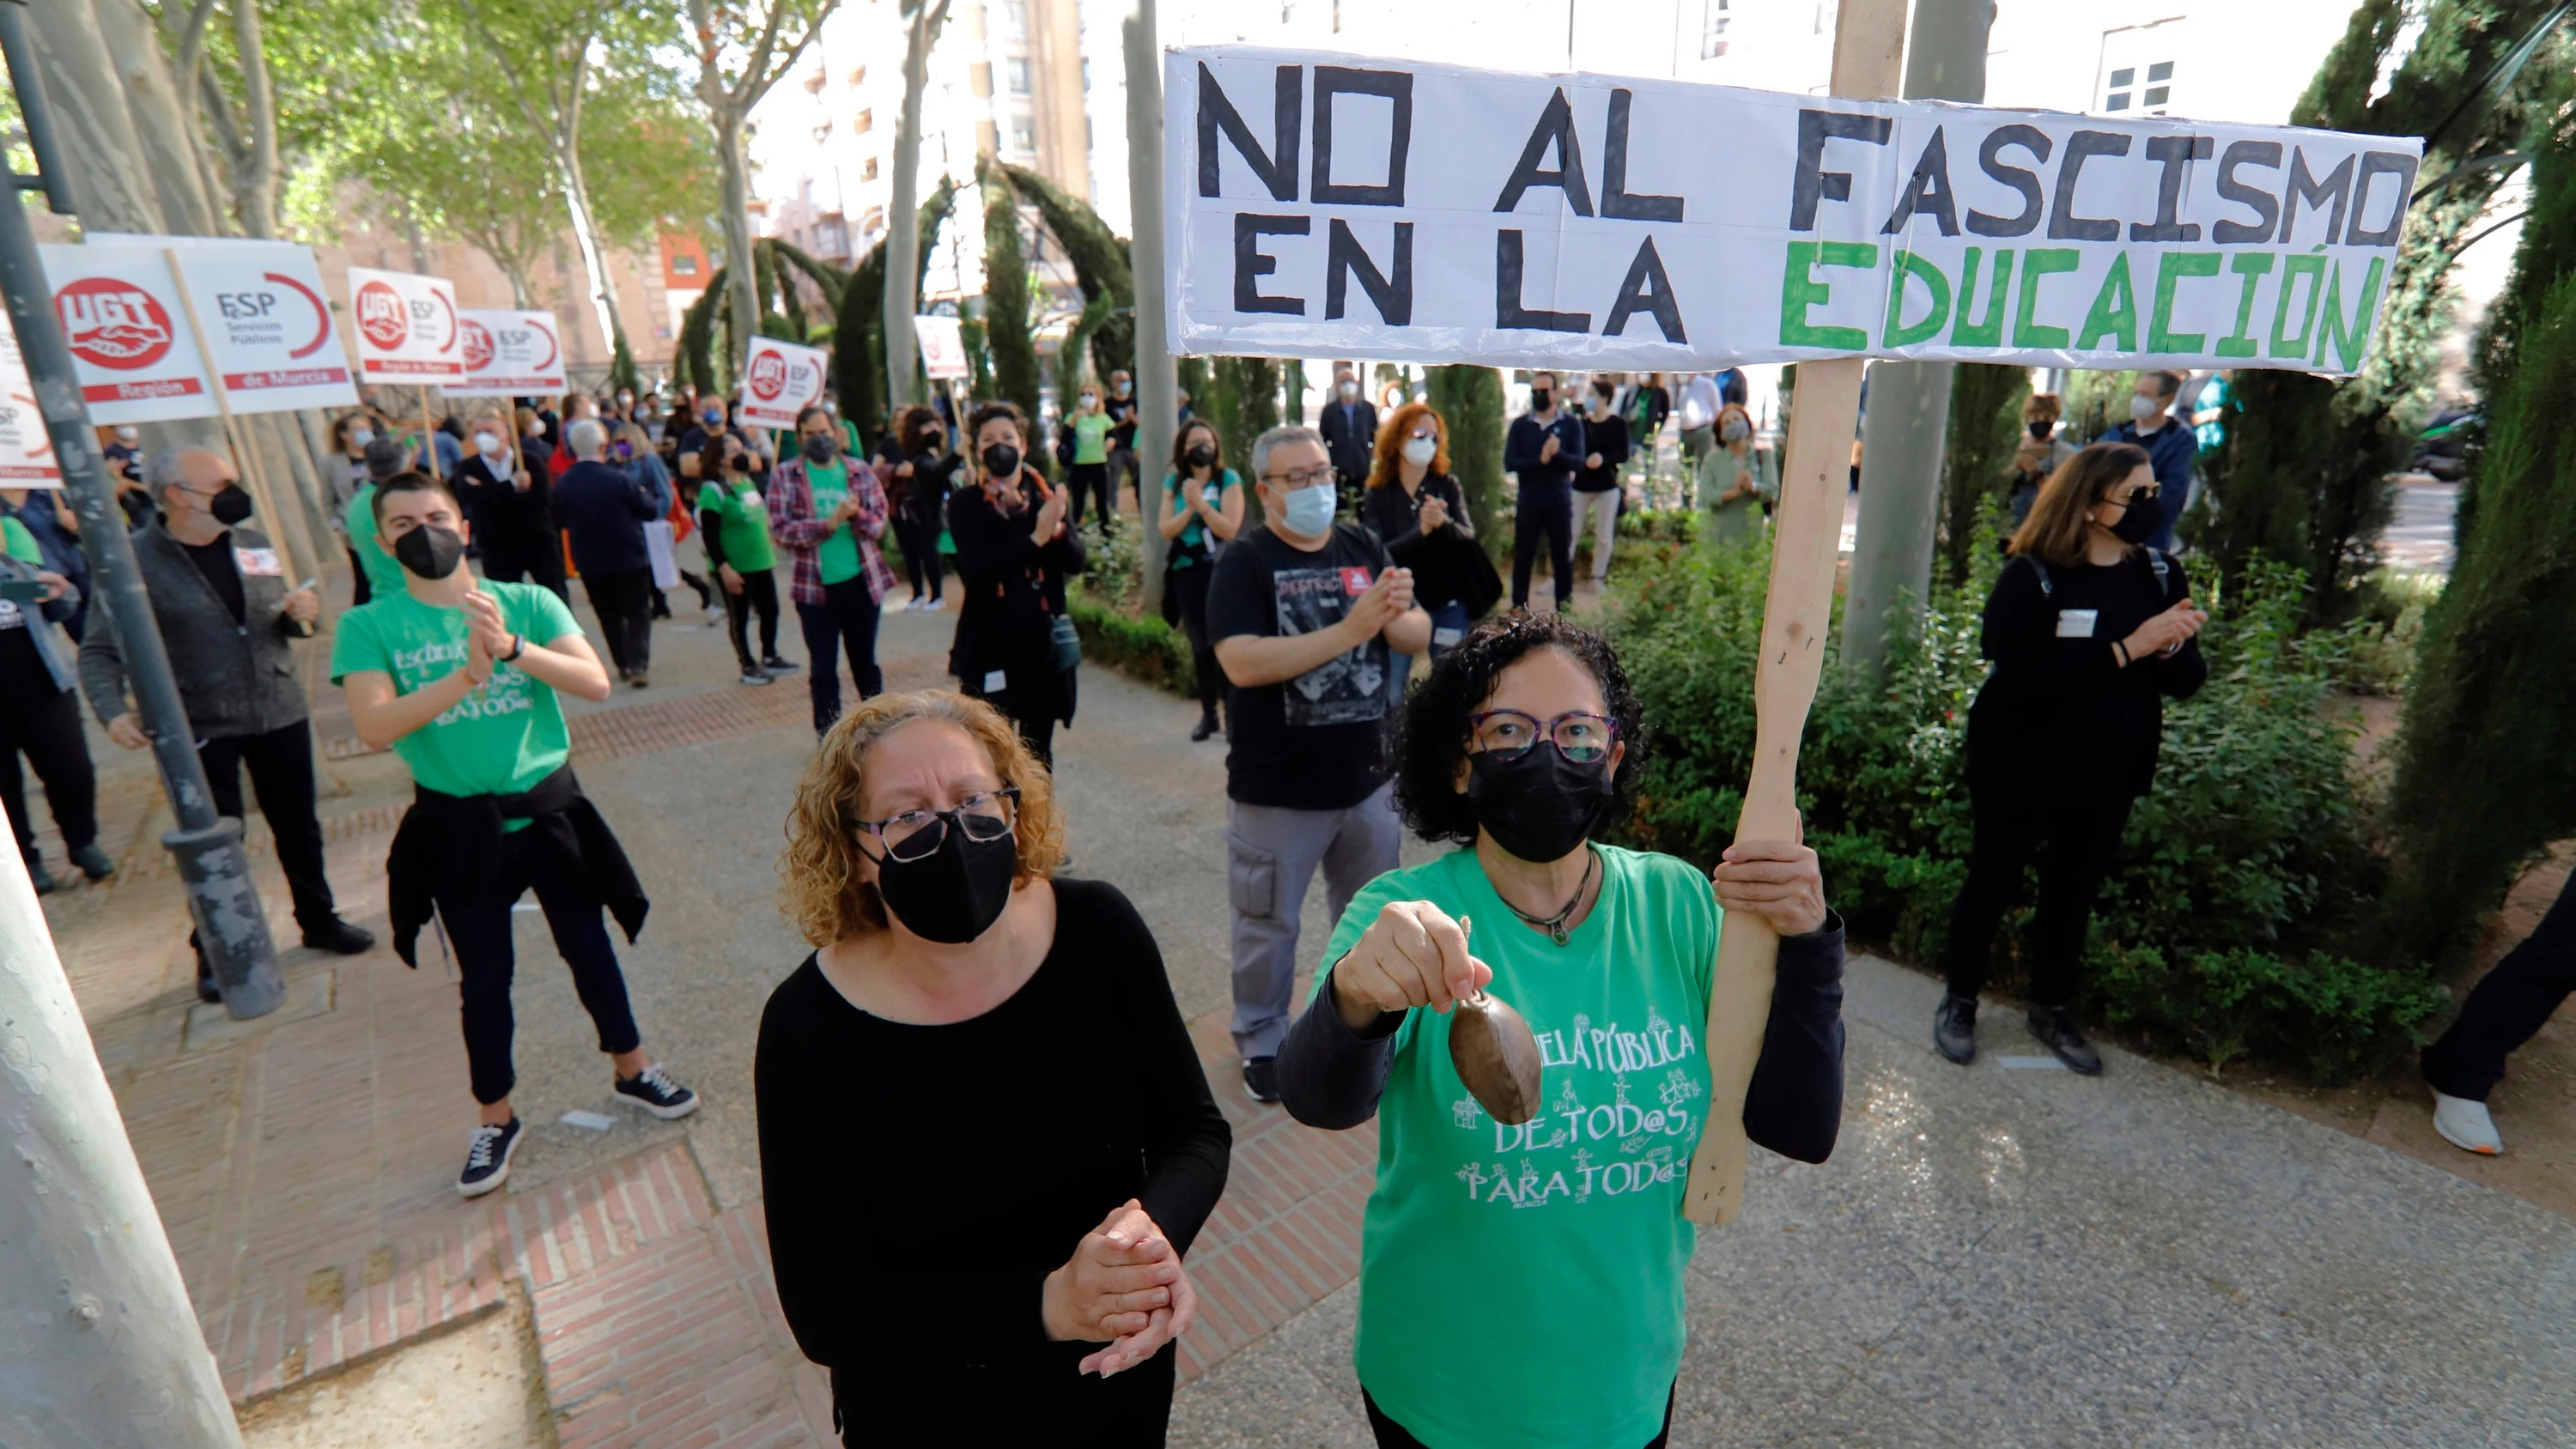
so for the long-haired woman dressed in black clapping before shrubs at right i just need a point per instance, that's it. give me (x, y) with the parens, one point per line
(2088, 632)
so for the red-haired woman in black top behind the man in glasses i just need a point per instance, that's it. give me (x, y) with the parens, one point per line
(1418, 513)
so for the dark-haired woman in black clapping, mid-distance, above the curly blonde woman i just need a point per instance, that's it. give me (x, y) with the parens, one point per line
(1014, 560)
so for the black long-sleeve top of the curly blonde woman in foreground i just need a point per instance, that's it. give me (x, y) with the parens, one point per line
(921, 1183)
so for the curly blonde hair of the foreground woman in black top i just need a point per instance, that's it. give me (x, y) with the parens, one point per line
(818, 874)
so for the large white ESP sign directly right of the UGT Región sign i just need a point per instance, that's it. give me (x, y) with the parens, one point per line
(267, 326)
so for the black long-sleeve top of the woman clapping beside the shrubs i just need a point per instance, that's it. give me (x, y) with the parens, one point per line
(2060, 717)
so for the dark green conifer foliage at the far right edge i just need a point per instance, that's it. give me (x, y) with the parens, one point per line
(2485, 771)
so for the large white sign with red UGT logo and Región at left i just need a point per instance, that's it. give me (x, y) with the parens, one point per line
(128, 328)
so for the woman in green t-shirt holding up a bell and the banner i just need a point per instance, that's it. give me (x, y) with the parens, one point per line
(1521, 1286)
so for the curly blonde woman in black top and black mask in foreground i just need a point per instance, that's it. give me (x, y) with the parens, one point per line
(975, 1257)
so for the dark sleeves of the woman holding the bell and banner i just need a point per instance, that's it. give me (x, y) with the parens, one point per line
(1333, 1077)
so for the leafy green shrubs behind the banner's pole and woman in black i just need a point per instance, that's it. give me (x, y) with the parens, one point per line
(2248, 863)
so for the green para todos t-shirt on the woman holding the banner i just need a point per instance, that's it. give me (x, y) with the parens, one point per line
(1521, 1288)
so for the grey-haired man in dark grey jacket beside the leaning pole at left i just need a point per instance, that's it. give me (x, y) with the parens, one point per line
(228, 619)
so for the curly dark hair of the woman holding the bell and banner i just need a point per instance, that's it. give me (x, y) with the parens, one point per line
(1431, 737)
